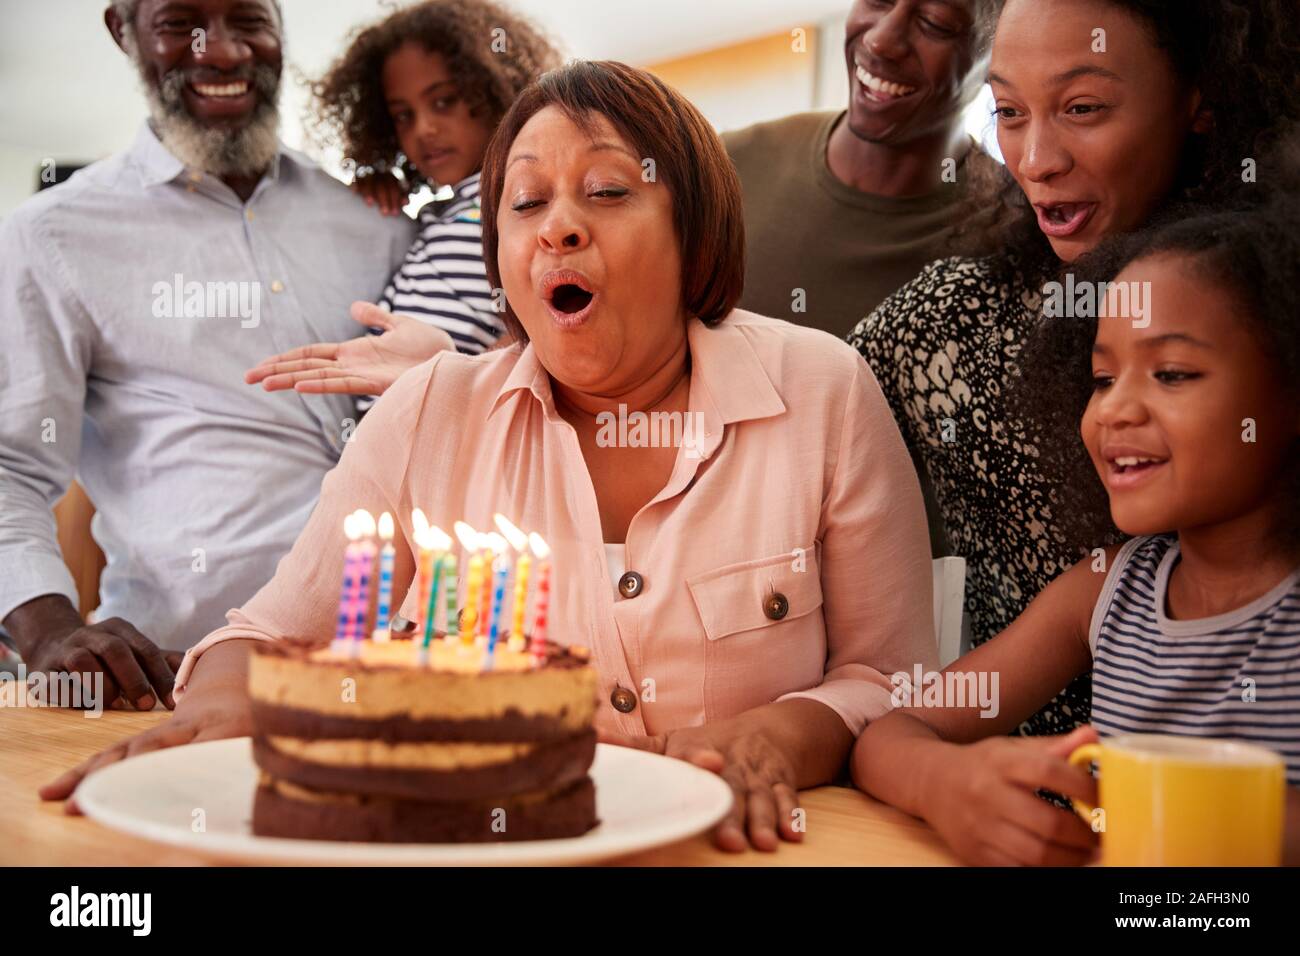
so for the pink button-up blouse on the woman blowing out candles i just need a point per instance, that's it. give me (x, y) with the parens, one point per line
(787, 556)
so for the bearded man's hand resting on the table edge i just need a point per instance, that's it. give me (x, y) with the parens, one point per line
(54, 639)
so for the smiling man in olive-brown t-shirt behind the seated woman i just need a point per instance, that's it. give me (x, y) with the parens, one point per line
(842, 209)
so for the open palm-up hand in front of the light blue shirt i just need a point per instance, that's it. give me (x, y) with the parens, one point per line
(365, 366)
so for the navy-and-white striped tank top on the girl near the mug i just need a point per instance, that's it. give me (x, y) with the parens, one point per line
(1233, 676)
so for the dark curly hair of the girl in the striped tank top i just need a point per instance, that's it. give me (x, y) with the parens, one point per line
(1251, 249)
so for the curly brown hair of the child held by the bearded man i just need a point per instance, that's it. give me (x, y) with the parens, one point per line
(349, 106)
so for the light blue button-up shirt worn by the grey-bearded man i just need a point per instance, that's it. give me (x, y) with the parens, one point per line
(201, 482)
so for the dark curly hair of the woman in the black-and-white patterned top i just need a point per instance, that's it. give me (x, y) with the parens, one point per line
(1242, 55)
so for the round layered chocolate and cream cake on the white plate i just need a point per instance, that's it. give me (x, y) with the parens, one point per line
(384, 742)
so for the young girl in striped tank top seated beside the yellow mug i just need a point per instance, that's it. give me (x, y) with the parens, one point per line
(1190, 408)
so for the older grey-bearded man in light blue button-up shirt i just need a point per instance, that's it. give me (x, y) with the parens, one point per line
(132, 300)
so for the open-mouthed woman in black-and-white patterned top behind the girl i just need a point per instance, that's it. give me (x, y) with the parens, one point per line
(1108, 113)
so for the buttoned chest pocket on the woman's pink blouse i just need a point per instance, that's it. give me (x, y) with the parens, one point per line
(757, 594)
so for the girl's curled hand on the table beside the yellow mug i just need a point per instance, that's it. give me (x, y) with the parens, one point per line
(985, 803)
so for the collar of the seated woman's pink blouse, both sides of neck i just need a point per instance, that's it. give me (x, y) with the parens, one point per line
(729, 383)
